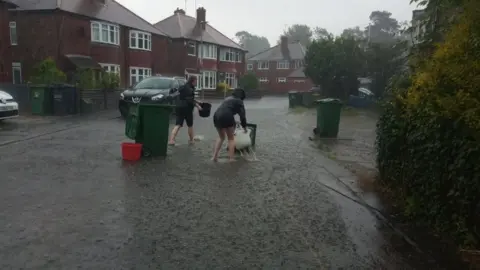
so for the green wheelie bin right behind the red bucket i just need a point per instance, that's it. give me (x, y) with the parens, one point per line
(155, 123)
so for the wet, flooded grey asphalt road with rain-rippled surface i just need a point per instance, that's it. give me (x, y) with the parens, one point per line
(68, 201)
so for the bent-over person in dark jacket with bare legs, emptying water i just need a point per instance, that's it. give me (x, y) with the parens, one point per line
(224, 122)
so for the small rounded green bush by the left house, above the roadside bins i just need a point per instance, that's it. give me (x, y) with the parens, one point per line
(46, 72)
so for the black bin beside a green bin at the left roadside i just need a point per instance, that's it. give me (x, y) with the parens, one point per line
(64, 99)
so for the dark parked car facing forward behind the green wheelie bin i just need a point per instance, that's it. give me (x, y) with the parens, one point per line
(155, 89)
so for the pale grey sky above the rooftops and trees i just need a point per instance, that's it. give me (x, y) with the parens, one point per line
(270, 17)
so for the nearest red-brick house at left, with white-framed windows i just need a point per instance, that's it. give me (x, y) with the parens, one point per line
(84, 34)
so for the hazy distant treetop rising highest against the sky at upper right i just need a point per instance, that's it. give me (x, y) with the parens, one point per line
(383, 28)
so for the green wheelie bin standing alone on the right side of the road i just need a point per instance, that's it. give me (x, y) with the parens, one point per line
(328, 117)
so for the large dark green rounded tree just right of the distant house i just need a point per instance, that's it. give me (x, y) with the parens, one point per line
(334, 64)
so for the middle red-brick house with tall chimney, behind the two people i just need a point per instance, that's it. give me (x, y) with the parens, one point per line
(198, 49)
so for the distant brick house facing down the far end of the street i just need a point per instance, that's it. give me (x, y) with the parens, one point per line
(280, 68)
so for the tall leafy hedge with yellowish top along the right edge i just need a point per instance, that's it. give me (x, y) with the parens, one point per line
(428, 135)
